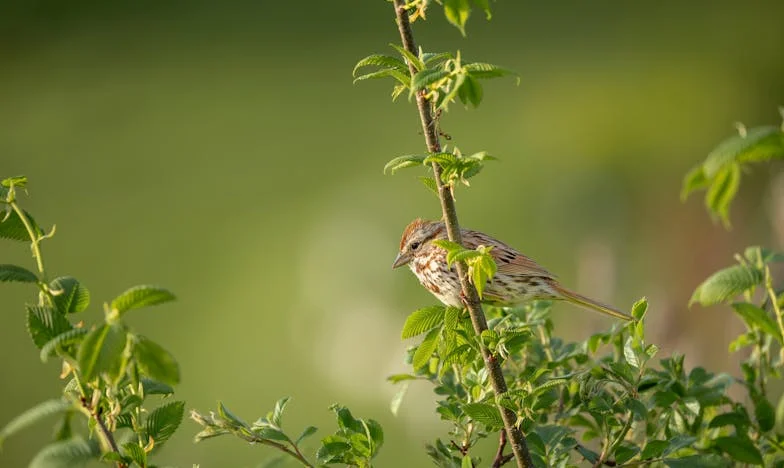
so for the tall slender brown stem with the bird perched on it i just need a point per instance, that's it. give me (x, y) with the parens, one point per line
(471, 298)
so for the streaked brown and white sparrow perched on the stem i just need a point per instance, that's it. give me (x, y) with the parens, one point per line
(518, 279)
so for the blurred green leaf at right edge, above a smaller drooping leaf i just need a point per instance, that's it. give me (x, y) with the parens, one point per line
(758, 144)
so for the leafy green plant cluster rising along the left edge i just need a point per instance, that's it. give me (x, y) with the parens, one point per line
(111, 369)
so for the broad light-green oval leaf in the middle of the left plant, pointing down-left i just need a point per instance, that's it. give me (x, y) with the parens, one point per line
(101, 350)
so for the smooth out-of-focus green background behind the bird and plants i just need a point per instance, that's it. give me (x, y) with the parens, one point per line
(220, 149)
